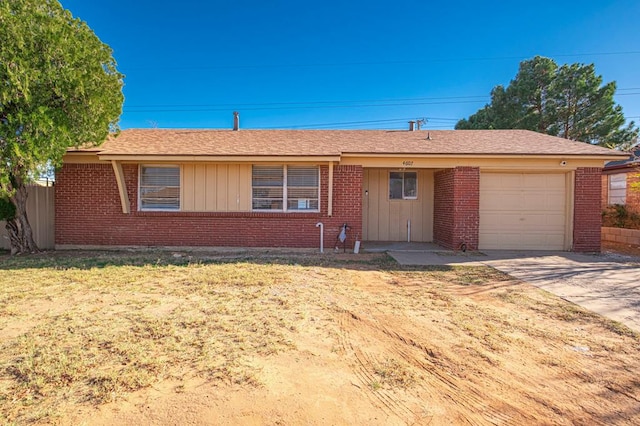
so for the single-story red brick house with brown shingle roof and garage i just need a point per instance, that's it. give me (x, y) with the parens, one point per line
(486, 189)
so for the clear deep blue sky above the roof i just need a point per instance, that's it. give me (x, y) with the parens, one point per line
(347, 64)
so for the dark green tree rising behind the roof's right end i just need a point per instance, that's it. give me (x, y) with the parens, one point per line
(569, 101)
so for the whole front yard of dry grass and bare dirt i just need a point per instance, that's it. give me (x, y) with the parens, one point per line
(197, 339)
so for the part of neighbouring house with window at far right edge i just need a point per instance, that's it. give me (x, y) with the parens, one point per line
(618, 178)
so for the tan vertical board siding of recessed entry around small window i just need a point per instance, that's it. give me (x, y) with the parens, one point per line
(386, 220)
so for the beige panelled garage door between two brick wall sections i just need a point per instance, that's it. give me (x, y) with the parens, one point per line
(522, 211)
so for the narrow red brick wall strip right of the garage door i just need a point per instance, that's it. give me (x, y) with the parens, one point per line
(587, 218)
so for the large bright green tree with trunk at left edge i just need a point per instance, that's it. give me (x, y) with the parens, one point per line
(59, 88)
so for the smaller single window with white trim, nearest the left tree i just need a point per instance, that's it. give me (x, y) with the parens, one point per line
(159, 188)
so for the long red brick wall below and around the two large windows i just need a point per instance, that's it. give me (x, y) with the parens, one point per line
(88, 212)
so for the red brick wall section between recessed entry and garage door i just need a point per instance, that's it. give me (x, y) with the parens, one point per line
(457, 207)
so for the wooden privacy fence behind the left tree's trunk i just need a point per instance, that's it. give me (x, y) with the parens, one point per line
(41, 213)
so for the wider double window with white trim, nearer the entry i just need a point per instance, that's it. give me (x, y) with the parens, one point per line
(286, 188)
